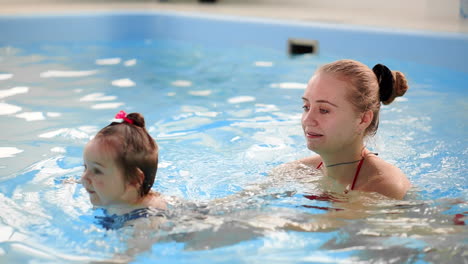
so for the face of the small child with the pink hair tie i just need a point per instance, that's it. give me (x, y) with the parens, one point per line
(102, 178)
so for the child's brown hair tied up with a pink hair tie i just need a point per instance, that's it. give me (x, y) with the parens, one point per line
(134, 149)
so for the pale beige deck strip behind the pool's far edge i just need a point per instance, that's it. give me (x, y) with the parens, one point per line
(373, 18)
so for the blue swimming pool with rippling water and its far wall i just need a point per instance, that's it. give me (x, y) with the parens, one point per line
(222, 98)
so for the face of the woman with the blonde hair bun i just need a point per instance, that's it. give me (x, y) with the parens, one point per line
(329, 121)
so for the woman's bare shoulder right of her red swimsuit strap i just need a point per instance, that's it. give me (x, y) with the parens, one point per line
(385, 178)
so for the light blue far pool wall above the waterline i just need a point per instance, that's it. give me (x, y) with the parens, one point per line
(435, 48)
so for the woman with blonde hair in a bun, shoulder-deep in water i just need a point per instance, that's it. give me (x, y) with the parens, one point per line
(341, 108)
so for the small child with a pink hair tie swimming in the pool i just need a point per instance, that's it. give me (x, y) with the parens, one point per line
(120, 165)
